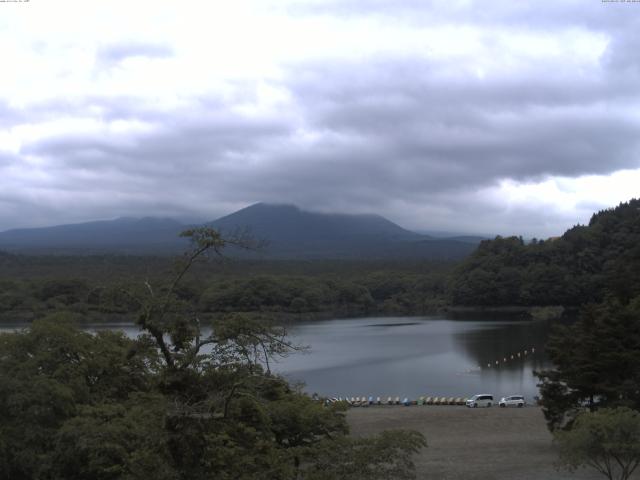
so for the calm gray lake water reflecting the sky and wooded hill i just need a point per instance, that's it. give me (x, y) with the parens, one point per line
(411, 356)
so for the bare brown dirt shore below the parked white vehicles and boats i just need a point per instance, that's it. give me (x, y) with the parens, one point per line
(472, 444)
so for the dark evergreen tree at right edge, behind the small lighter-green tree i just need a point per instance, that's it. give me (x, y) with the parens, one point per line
(596, 363)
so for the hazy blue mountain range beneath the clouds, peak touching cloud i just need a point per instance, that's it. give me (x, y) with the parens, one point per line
(288, 232)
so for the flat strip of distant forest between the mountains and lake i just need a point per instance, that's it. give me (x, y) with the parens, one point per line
(97, 286)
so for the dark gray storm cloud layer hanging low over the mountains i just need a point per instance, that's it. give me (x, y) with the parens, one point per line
(385, 134)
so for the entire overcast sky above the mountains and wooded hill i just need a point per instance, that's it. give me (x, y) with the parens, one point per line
(505, 117)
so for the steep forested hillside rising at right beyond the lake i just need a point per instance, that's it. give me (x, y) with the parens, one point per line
(582, 266)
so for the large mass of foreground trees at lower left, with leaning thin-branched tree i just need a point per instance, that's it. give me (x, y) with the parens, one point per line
(179, 402)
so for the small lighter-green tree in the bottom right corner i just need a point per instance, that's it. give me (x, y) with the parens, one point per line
(607, 440)
